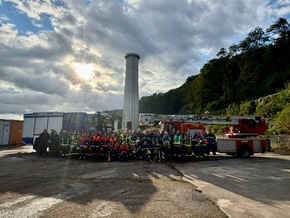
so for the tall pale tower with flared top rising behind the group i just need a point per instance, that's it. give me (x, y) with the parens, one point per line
(131, 94)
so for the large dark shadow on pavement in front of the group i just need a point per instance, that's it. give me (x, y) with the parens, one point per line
(81, 181)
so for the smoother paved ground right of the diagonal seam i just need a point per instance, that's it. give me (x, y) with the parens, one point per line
(258, 186)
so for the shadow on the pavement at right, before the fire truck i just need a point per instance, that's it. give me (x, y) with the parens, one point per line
(264, 179)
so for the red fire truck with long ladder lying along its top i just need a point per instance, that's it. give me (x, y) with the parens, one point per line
(242, 138)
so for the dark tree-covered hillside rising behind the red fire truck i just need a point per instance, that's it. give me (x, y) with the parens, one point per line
(240, 75)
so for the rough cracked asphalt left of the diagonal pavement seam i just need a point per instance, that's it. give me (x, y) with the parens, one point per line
(33, 186)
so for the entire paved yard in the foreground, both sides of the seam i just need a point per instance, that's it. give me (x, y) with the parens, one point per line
(33, 186)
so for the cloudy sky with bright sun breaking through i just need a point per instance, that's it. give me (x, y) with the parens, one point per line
(69, 55)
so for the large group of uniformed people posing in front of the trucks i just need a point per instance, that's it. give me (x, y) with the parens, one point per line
(125, 144)
